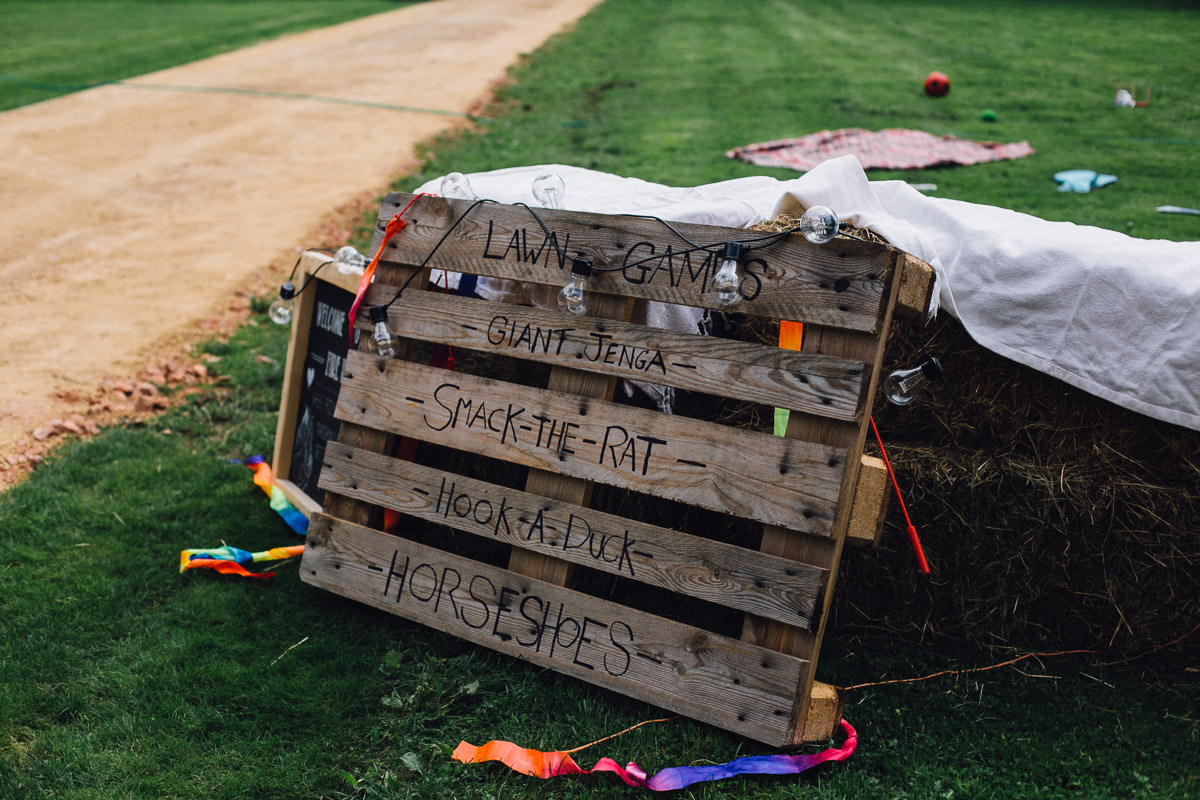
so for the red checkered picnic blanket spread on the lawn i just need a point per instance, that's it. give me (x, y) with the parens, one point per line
(890, 149)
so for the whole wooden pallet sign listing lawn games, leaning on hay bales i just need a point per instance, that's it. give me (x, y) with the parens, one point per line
(680, 561)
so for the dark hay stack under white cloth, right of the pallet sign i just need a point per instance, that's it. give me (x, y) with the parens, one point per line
(1051, 518)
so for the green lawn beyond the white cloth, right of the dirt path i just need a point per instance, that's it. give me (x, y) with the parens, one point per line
(662, 92)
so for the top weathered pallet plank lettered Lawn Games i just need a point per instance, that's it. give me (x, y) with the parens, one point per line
(839, 284)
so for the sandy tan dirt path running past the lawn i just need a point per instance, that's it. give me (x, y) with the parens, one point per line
(131, 218)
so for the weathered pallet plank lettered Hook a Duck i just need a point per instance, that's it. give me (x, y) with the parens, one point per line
(692, 566)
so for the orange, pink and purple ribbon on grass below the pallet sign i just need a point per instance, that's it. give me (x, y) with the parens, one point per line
(553, 765)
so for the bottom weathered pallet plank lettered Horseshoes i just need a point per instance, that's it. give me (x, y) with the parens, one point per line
(731, 684)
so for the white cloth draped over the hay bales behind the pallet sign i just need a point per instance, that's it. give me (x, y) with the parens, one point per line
(1114, 316)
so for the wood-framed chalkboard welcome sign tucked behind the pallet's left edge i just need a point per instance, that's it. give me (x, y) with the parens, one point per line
(316, 358)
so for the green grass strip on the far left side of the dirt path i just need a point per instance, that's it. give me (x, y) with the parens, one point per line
(51, 47)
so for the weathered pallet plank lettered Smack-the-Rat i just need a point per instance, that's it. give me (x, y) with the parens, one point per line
(748, 474)
